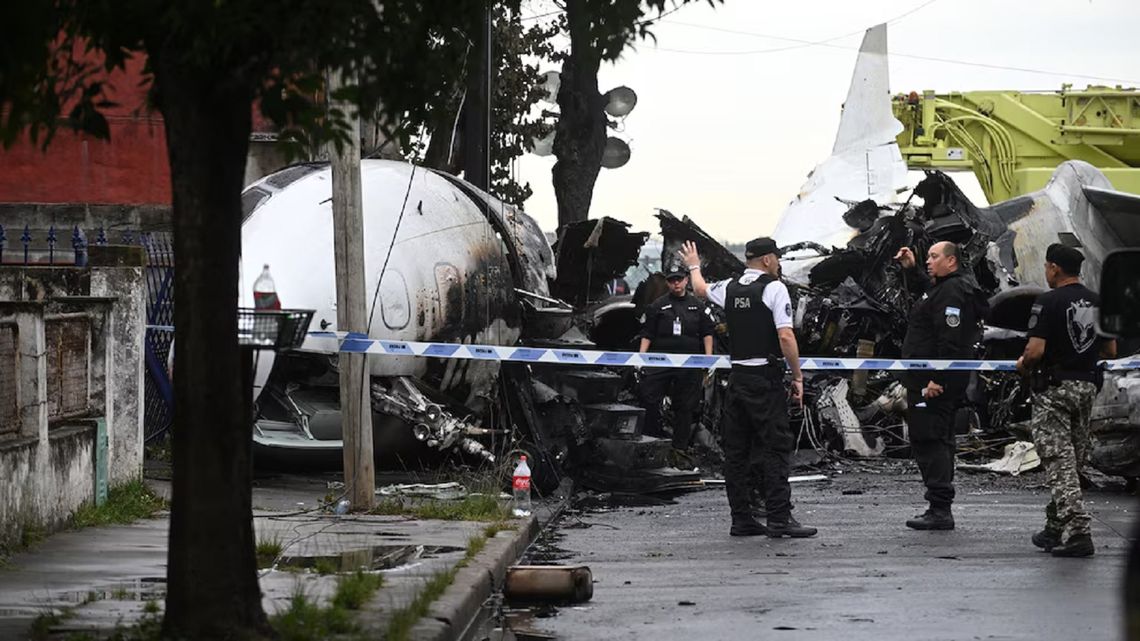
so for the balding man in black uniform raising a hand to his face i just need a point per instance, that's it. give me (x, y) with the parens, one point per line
(944, 324)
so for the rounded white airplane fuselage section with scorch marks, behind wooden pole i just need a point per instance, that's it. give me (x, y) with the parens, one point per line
(443, 263)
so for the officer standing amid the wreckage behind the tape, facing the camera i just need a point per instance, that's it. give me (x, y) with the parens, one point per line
(677, 323)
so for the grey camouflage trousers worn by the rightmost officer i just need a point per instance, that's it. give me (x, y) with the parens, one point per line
(1061, 434)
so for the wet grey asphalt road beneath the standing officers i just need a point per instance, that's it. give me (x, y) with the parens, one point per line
(673, 572)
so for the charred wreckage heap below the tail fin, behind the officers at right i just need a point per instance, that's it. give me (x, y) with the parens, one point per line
(856, 302)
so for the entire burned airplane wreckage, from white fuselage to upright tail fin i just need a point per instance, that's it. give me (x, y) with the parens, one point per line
(447, 263)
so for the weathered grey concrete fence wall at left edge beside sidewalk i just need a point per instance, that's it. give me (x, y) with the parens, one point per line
(50, 466)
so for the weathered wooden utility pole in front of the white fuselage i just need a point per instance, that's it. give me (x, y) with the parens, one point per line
(352, 310)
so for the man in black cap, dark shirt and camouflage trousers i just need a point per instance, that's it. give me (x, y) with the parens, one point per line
(1063, 352)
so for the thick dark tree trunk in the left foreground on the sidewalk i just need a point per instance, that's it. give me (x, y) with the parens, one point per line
(211, 574)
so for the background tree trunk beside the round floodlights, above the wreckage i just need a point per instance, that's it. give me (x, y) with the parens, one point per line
(581, 133)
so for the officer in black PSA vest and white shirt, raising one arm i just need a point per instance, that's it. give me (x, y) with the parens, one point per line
(759, 313)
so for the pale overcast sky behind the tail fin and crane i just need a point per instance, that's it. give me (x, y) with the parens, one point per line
(727, 133)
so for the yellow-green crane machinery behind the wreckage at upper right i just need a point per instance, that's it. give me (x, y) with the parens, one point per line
(1014, 141)
